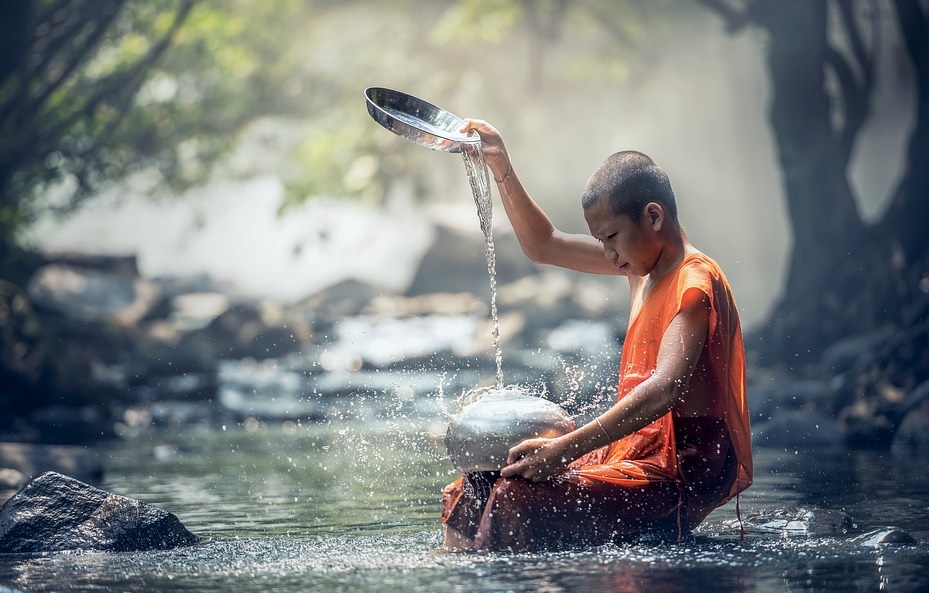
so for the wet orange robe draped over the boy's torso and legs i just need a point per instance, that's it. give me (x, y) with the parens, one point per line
(665, 477)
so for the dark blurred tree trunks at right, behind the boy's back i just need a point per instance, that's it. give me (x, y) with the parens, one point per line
(846, 276)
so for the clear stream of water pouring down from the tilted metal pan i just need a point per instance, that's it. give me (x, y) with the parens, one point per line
(473, 155)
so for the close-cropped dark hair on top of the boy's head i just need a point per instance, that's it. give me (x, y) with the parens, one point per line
(629, 180)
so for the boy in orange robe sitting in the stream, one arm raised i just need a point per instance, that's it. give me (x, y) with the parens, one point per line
(676, 444)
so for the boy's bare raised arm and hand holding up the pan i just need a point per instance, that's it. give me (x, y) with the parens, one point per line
(538, 237)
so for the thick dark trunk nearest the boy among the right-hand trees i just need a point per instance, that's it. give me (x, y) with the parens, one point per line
(821, 205)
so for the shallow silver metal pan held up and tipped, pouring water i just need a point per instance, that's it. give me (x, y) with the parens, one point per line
(417, 120)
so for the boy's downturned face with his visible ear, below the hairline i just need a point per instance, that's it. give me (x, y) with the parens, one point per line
(632, 246)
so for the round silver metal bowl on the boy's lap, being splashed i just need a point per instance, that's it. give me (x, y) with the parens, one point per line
(480, 436)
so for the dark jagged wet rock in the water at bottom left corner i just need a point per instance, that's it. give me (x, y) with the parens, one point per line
(54, 513)
